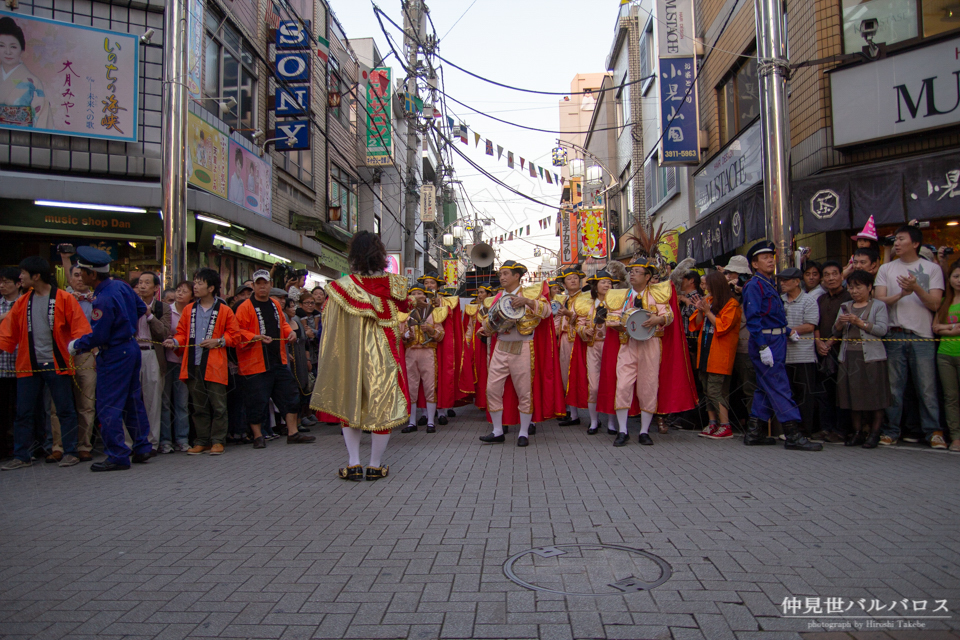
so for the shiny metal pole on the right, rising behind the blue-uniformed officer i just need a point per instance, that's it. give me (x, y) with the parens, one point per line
(775, 126)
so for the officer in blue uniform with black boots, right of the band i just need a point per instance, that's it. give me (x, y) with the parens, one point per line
(767, 324)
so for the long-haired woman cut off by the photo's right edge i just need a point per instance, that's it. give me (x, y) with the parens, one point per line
(945, 324)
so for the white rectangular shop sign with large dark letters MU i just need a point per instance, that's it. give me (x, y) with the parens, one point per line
(906, 93)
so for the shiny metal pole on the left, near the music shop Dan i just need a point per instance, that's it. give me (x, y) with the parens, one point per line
(173, 180)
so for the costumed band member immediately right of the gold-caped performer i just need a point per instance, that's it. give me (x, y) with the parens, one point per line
(422, 332)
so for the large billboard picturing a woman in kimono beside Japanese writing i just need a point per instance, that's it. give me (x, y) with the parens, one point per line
(69, 79)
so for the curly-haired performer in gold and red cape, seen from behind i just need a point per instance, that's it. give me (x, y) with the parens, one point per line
(362, 375)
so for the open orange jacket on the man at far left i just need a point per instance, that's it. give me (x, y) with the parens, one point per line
(69, 324)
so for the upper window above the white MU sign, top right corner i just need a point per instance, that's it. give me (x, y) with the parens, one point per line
(899, 21)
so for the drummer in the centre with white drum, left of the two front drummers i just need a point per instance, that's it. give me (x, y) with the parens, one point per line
(525, 352)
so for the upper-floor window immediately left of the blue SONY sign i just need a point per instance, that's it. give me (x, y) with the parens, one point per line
(229, 70)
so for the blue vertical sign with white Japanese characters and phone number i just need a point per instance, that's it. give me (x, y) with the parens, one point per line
(679, 119)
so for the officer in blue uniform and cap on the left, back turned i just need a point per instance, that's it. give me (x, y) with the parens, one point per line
(116, 311)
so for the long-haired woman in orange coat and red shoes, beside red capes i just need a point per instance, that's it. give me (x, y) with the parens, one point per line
(717, 318)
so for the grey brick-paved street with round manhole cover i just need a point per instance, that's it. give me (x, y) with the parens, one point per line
(270, 544)
